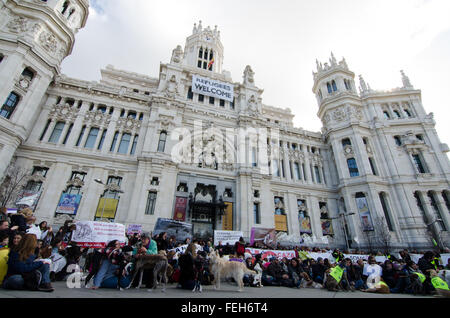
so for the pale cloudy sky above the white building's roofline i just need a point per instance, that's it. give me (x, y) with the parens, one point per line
(281, 40)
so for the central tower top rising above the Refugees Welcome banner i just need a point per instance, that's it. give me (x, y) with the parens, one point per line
(203, 49)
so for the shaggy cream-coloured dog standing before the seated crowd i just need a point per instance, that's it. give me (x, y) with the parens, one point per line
(222, 268)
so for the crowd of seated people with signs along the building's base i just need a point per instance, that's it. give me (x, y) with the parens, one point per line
(32, 256)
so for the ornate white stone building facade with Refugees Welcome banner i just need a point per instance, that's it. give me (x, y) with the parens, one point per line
(195, 146)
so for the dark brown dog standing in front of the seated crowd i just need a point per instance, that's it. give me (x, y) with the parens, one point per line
(158, 263)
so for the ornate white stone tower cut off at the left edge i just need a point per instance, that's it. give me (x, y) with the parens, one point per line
(35, 37)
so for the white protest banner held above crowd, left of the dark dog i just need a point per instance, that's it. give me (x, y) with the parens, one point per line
(97, 234)
